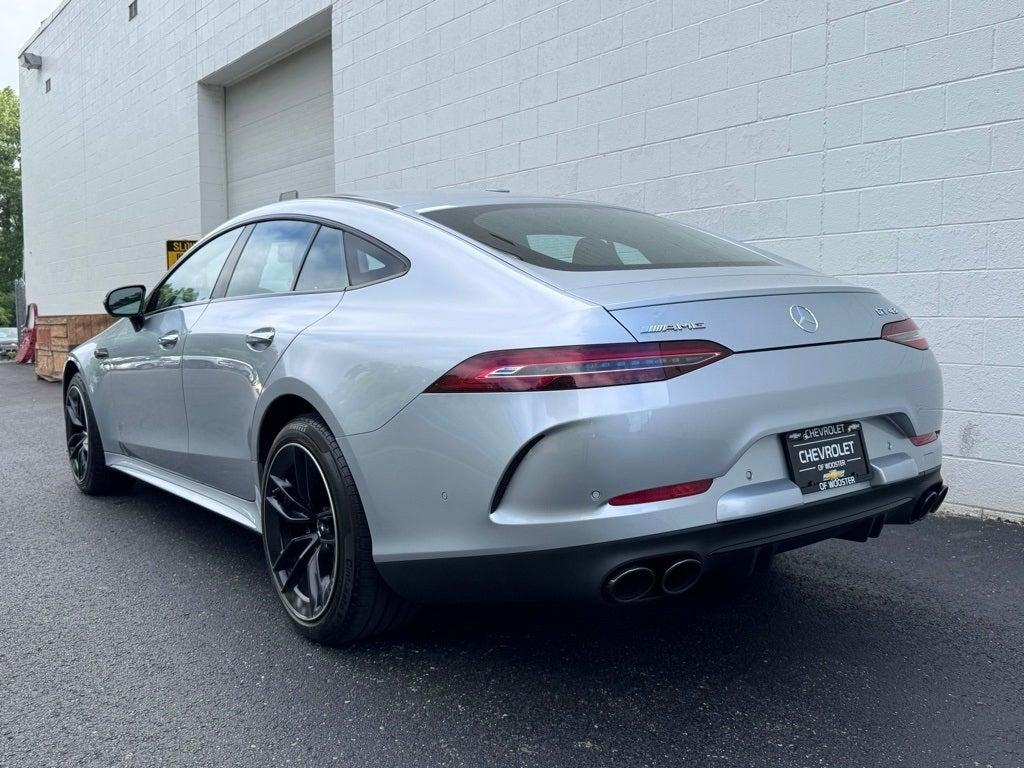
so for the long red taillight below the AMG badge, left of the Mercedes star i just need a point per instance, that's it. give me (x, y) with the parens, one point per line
(578, 367)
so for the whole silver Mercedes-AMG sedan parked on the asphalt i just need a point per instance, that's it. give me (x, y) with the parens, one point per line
(443, 397)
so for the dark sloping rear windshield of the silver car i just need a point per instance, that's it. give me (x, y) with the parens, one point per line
(589, 238)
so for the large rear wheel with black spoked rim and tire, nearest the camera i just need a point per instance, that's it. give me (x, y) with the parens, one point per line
(318, 543)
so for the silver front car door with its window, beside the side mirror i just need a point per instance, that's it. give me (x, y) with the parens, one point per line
(142, 362)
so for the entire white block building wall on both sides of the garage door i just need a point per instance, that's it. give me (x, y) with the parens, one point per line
(881, 140)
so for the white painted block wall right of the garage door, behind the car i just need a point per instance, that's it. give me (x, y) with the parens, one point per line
(877, 140)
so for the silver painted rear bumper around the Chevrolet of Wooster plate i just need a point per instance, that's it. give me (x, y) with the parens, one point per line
(466, 476)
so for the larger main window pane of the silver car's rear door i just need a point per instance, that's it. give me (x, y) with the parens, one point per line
(271, 259)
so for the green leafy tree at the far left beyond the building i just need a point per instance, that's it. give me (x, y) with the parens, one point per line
(11, 203)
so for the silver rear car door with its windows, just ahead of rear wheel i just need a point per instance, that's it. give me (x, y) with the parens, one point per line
(288, 276)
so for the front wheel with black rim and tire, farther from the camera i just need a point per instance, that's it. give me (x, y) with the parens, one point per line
(86, 449)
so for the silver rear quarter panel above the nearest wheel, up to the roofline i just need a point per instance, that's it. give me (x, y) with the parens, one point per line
(388, 343)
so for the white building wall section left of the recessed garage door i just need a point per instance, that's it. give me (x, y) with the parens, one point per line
(111, 156)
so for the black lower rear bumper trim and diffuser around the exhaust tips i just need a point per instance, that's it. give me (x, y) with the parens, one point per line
(583, 573)
